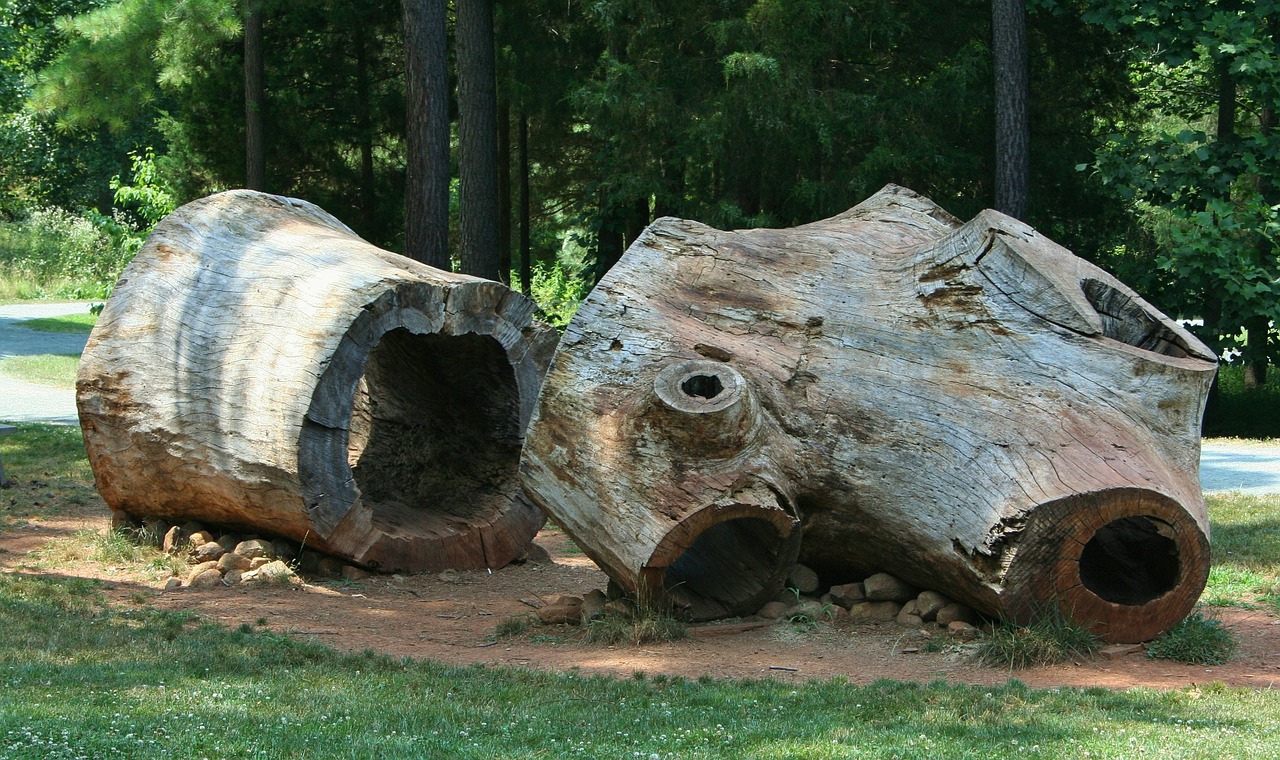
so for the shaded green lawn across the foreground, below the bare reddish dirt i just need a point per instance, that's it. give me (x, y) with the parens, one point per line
(86, 680)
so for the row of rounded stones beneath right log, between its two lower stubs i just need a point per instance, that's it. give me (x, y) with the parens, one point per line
(877, 599)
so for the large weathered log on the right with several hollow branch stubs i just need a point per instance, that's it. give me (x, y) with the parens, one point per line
(967, 406)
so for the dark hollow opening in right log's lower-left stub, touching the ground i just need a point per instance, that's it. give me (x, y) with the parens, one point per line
(726, 570)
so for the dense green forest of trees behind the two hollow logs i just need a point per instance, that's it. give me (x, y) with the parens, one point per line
(534, 140)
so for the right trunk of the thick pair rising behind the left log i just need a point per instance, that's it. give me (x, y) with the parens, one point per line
(478, 139)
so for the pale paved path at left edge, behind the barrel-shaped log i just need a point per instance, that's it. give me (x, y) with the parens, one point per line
(28, 402)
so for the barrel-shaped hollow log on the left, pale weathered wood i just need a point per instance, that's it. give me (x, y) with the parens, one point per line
(259, 365)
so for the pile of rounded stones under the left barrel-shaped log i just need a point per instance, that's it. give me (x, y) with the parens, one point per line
(231, 560)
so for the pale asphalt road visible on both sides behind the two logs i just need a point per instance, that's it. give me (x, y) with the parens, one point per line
(1254, 469)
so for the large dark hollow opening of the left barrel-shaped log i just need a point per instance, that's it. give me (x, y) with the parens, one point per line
(435, 441)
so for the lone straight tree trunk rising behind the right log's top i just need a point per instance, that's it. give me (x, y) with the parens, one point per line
(1013, 125)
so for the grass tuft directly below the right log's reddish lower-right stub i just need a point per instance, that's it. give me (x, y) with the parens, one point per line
(1050, 640)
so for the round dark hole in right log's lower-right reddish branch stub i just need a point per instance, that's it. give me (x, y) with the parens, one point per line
(1130, 561)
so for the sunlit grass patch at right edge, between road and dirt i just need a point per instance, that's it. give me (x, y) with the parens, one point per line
(1246, 551)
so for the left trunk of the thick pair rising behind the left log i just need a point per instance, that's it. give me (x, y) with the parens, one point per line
(427, 175)
